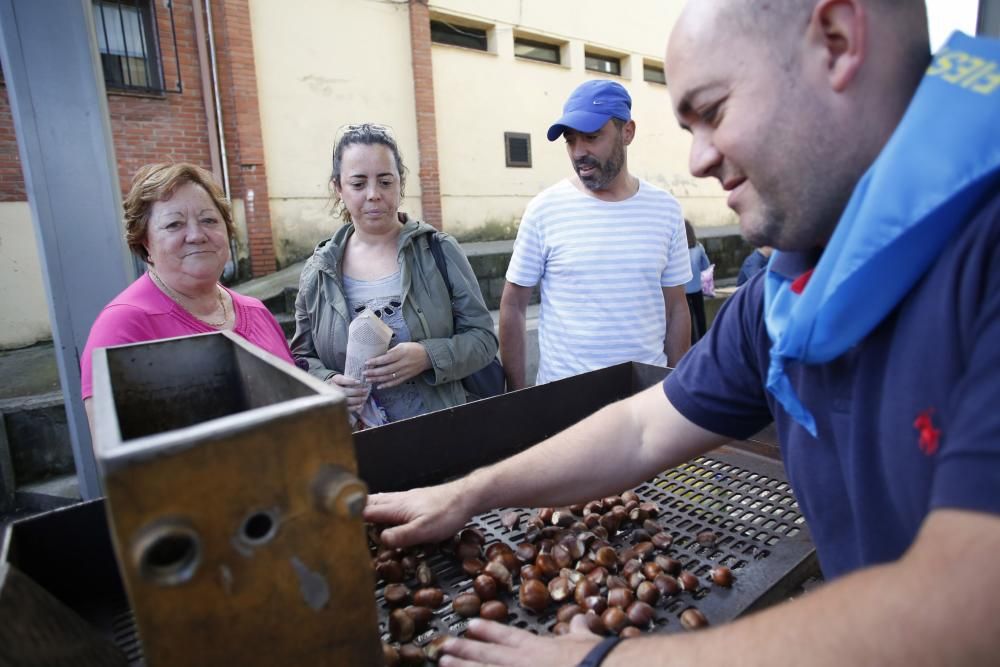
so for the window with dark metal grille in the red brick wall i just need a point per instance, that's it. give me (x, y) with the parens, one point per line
(127, 42)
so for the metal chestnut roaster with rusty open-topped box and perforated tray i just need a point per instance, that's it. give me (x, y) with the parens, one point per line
(273, 435)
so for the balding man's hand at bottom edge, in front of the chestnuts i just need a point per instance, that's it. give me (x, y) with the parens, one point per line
(489, 643)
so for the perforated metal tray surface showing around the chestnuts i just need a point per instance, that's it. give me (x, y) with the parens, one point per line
(742, 497)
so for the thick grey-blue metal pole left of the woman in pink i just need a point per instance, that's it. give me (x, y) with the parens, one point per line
(59, 107)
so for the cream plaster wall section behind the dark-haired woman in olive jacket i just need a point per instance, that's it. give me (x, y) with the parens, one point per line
(321, 65)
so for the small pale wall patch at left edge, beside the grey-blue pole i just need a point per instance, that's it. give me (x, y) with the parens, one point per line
(22, 292)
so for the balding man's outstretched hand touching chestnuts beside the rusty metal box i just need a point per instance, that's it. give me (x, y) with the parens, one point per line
(431, 514)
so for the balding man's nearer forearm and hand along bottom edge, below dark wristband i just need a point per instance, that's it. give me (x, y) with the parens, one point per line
(937, 605)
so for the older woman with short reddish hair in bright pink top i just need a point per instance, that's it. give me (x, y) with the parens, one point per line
(178, 221)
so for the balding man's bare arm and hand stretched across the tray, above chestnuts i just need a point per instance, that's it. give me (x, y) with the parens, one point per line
(616, 448)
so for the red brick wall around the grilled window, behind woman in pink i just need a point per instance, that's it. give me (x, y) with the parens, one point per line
(173, 127)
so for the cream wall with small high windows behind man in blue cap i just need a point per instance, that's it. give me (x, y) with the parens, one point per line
(479, 96)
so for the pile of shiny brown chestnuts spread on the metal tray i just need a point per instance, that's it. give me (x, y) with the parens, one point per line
(566, 564)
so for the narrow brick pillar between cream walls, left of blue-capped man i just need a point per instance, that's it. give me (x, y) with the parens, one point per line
(423, 90)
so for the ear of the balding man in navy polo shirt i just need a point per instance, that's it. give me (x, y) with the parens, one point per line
(839, 29)
